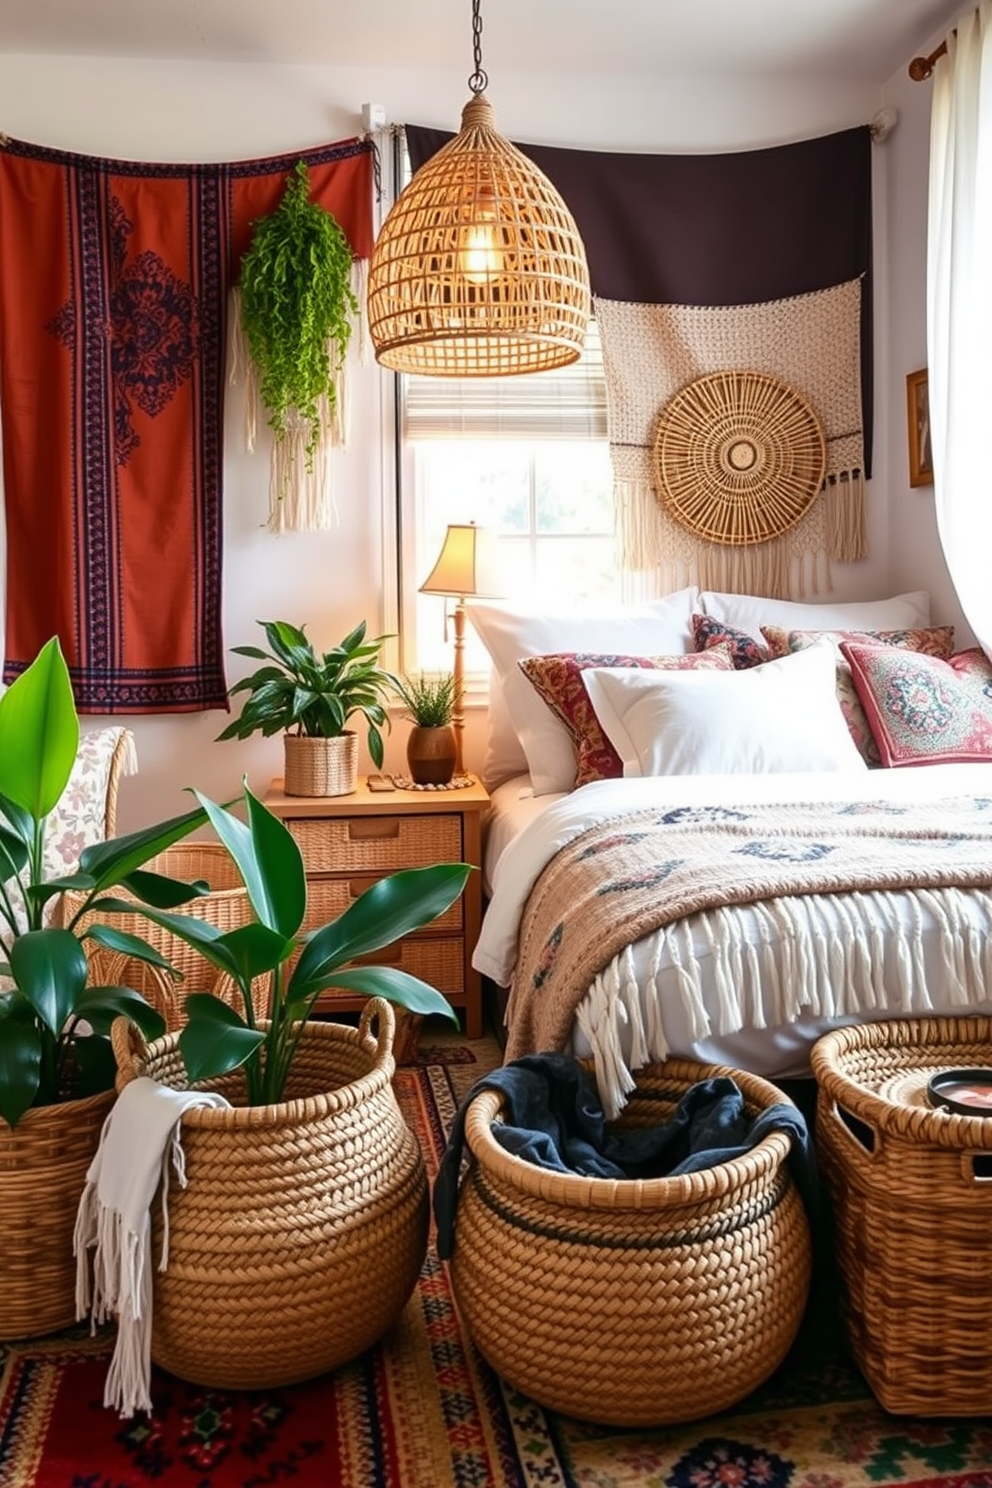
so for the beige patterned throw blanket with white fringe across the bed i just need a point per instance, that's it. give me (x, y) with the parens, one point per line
(648, 871)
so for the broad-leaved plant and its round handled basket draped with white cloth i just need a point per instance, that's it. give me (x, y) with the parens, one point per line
(313, 1181)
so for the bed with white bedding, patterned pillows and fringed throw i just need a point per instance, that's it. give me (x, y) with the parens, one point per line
(761, 904)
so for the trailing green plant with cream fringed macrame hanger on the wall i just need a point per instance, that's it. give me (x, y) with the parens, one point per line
(292, 321)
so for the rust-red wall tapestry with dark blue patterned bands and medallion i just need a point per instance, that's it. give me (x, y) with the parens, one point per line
(114, 289)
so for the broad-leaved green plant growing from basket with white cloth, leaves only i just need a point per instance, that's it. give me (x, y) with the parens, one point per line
(298, 965)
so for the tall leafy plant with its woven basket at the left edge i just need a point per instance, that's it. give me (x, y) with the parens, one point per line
(57, 1066)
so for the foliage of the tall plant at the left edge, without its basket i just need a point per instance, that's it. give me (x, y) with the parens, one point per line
(54, 1026)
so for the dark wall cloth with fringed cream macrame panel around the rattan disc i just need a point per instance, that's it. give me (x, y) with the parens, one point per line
(750, 261)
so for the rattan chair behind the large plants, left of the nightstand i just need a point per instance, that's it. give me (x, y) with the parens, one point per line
(225, 907)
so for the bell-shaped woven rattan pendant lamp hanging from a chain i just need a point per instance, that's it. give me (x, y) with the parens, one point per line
(480, 269)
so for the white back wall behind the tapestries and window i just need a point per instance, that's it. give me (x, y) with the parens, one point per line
(210, 112)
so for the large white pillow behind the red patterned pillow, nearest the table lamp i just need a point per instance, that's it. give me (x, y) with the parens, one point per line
(524, 733)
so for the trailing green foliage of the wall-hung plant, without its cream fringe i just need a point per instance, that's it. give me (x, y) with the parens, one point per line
(298, 307)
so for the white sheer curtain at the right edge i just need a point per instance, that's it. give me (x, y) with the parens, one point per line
(960, 312)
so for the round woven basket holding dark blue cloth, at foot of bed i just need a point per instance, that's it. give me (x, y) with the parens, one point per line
(634, 1303)
